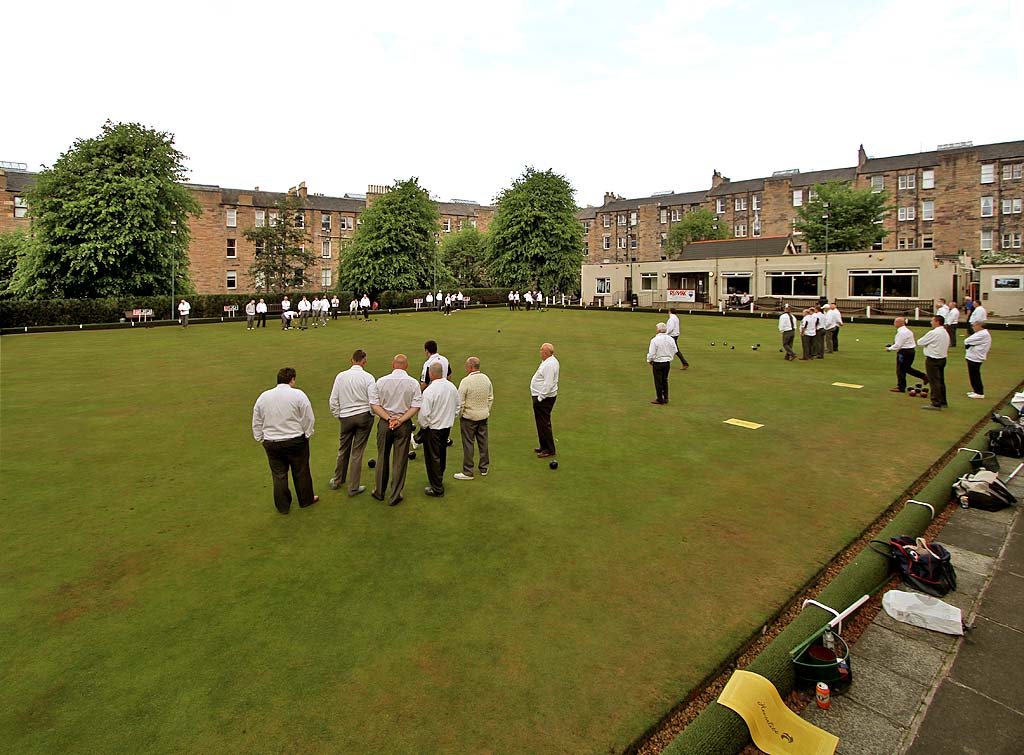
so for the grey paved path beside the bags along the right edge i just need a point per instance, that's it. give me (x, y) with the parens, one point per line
(923, 693)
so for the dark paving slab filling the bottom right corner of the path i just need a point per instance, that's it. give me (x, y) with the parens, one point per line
(960, 722)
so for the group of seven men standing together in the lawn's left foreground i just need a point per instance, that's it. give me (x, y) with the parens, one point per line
(283, 423)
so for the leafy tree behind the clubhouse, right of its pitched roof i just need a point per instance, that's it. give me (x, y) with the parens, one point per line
(852, 222)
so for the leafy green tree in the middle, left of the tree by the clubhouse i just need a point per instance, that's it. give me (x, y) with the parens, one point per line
(396, 247)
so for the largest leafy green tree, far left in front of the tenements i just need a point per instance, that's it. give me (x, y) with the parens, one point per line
(105, 219)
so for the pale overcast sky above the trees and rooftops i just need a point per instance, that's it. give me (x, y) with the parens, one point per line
(633, 98)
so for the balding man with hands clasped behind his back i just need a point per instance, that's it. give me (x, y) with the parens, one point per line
(395, 399)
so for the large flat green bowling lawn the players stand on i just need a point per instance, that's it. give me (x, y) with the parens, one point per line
(152, 600)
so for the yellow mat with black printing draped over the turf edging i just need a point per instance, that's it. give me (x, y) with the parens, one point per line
(775, 728)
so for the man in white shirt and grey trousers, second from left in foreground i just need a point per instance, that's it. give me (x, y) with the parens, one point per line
(351, 404)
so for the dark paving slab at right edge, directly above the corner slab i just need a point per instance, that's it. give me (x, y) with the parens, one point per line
(990, 661)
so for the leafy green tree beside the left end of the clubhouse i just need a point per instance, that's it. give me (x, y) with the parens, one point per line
(535, 237)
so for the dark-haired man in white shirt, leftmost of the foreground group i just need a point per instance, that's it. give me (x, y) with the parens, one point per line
(283, 422)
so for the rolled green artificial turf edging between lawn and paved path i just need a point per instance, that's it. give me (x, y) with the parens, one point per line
(719, 731)
